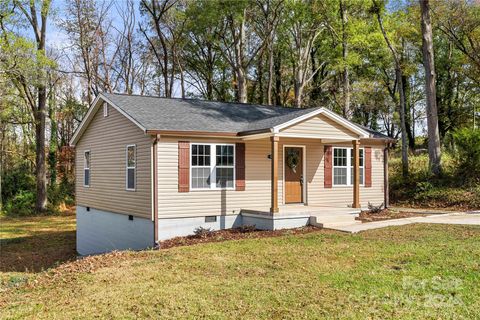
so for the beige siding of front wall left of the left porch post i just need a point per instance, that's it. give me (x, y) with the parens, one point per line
(172, 203)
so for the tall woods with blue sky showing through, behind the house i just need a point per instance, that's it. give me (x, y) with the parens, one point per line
(408, 69)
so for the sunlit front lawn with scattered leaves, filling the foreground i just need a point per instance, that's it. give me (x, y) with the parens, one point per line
(412, 272)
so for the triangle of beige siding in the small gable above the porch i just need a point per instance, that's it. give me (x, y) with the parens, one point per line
(322, 126)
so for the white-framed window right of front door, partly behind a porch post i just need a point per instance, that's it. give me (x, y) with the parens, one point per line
(343, 166)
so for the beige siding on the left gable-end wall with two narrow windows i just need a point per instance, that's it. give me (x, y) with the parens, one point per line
(107, 138)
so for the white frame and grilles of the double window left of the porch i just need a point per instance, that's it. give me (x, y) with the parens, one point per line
(213, 161)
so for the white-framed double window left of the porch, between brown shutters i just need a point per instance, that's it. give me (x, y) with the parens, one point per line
(212, 166)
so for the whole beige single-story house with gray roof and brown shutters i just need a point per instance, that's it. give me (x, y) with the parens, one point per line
(151, 168)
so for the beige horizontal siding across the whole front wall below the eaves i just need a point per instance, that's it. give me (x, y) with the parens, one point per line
(257, 178)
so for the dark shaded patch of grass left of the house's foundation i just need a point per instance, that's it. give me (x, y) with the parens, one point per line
(38, 252)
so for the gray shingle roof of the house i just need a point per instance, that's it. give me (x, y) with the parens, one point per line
(172, 114)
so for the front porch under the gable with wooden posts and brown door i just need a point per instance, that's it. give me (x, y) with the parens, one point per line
(291, 190)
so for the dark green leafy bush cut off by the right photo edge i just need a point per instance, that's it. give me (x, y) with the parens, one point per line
(467, 144)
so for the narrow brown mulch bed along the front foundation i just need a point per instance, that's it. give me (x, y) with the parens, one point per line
(232, 234)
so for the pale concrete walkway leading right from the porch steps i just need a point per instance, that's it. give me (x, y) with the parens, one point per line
(450, 218)
